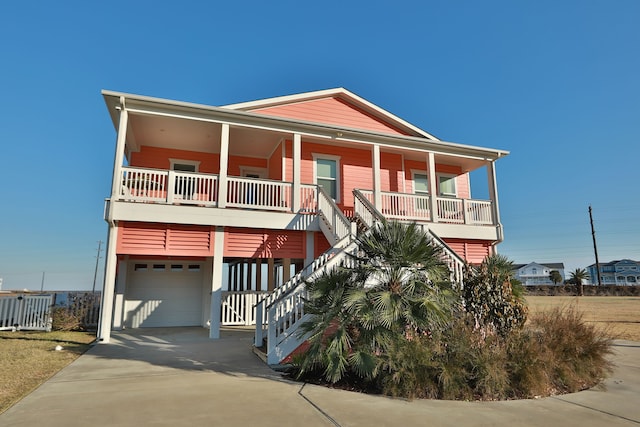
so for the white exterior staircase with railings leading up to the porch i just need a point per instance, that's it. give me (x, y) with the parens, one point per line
(284, 308)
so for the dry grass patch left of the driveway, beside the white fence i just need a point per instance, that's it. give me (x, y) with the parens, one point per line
(27, 359)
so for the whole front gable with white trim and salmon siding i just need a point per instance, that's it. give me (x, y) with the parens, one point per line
(336, 106)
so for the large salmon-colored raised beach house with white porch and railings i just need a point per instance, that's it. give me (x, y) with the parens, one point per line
(213, 208)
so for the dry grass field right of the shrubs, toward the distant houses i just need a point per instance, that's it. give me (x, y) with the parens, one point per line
(620, 316)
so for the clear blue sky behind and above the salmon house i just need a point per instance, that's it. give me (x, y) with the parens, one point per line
(557, 83)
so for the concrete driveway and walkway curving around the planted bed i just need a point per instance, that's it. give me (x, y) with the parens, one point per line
(177, 376)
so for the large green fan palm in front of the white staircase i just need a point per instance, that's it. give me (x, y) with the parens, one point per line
(399, 288)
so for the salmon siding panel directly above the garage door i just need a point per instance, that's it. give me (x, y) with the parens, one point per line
(164, 239)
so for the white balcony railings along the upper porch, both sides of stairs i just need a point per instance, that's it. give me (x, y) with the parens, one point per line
(142, 185)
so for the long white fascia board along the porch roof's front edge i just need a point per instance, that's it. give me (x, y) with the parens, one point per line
(177, 109)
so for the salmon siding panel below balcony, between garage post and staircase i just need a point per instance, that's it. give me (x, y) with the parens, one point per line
(250, 243)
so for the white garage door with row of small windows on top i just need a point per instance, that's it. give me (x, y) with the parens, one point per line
(162, 295)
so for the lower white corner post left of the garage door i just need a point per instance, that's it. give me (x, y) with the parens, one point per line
(106, 305)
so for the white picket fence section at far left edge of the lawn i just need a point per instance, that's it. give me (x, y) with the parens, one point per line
(26, 312)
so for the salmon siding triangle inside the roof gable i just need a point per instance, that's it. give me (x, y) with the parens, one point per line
(332, 111)
